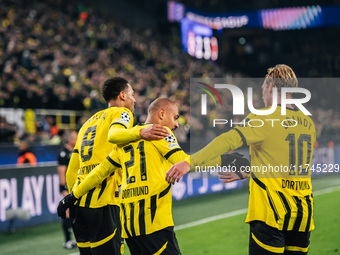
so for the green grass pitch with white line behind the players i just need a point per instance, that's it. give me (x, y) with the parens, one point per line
(228, 235)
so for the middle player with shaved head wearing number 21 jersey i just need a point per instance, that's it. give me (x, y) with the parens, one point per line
(146, 202)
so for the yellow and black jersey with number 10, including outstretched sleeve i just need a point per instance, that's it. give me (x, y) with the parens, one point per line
(281, 150)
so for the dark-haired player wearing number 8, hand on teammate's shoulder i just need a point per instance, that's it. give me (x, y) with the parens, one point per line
(95, 218)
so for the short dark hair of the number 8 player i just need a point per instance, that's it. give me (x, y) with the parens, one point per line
(112, 87)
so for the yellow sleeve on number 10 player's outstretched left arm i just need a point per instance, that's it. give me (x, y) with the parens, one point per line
(225, 142)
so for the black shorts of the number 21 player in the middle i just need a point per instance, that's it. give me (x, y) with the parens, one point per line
(161, 242)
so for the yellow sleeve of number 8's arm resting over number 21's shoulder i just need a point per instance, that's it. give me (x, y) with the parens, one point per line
(119, 134)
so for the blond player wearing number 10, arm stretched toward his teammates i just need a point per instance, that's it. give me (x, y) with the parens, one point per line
(280, 210)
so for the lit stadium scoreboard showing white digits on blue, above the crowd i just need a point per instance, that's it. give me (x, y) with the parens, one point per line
(198, 40)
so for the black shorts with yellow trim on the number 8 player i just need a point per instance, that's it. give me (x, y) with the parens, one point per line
(97, 230)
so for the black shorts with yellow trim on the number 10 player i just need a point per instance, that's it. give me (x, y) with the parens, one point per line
(265, 240)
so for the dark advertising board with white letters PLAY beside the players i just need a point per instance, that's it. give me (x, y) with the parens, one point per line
(35, 189)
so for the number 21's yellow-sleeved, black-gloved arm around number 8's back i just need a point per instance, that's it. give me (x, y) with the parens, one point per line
(93, 179)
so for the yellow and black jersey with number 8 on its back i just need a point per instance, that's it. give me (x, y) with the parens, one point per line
(92, 147)
